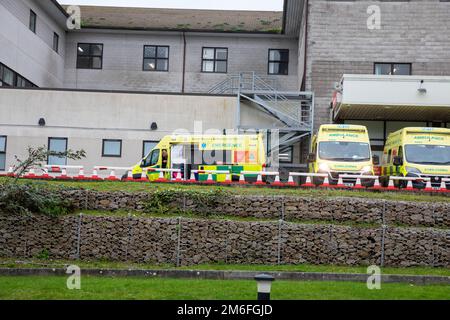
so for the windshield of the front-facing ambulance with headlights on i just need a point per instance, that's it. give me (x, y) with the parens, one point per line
(344, 151)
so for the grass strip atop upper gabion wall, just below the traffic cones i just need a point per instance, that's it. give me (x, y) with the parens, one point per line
(247, 190)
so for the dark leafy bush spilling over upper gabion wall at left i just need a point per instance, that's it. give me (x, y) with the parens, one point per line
(27, 198)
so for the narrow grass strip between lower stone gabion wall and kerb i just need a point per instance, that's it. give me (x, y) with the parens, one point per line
(43, 263)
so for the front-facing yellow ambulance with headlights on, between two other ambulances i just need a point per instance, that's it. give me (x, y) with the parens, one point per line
(341, 149)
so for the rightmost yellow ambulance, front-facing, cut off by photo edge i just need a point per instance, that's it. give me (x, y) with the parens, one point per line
(417, 152)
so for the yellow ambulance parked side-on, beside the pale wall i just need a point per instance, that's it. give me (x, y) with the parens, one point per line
(233, 153)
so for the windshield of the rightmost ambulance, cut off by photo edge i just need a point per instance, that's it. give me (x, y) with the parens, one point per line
(427, 154)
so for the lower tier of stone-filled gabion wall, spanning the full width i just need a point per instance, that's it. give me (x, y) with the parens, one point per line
(195, 241)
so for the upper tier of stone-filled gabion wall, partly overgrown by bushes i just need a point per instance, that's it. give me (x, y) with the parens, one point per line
(290, 208)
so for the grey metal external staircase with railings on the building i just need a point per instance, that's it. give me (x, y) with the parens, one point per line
(292, 111)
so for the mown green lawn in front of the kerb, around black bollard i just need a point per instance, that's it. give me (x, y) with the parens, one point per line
(40, 288)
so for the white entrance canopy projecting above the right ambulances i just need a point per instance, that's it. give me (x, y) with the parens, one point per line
(395, 98)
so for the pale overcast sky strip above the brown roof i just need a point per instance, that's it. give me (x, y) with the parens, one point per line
(266, 5)
